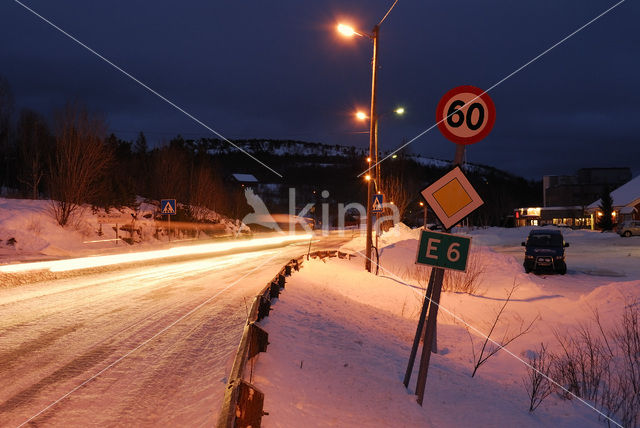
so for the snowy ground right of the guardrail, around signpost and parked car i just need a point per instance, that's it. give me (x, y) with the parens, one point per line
(340, 338)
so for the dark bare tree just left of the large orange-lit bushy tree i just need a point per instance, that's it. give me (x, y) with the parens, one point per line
(34, 143)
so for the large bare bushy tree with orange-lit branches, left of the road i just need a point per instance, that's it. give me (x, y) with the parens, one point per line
(79, 161)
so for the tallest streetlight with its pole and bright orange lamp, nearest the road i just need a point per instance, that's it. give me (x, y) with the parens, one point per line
(349, 31)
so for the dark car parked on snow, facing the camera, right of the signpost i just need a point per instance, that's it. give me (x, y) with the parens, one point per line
(544, 251)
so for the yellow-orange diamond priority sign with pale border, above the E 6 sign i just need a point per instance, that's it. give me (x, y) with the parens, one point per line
(452, 197)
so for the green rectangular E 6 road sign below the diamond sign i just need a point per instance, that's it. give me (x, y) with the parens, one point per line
(443, 250)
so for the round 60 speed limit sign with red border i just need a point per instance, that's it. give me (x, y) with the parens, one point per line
(465, 115)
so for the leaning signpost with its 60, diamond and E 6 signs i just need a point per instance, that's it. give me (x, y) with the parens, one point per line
(465, 115)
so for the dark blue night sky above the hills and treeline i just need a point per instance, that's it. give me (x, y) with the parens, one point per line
(255, 69)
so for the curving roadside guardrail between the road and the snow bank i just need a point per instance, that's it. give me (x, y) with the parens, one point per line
(243, 402)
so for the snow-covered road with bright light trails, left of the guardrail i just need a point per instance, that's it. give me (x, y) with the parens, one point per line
(135, 347)
